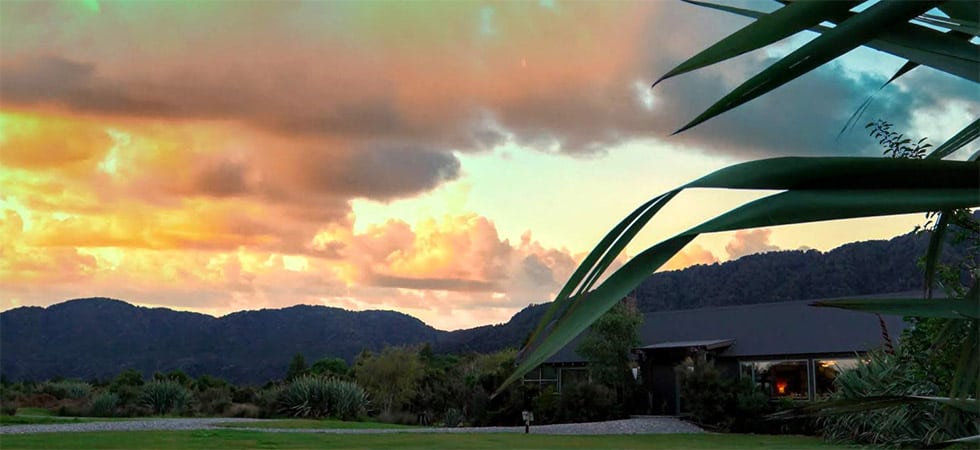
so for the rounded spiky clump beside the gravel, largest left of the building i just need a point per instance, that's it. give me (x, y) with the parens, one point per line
(317, 397)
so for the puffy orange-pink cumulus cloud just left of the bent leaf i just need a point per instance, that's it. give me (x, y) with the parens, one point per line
(454, 253)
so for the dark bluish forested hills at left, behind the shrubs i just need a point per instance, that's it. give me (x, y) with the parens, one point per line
(100, 337)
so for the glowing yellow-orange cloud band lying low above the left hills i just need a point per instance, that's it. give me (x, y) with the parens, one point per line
(452, 272)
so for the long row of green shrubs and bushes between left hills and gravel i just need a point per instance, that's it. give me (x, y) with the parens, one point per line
(400, 385)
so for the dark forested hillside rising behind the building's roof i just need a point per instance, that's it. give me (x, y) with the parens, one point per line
(860, 268)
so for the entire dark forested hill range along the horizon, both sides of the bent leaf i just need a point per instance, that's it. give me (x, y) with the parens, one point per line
(100, 337)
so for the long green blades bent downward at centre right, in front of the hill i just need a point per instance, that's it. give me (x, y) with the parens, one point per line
(818, 189)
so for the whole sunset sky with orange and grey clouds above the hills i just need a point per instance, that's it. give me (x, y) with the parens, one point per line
(449, 160)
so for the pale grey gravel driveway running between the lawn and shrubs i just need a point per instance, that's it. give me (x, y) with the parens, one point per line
(642, 425)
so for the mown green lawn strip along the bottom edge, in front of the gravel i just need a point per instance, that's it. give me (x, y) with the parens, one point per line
(234, 439)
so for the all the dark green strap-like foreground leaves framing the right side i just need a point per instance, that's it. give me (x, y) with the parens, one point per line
(815, 189)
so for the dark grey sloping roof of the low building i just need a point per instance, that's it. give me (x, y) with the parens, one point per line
(765, 329)
